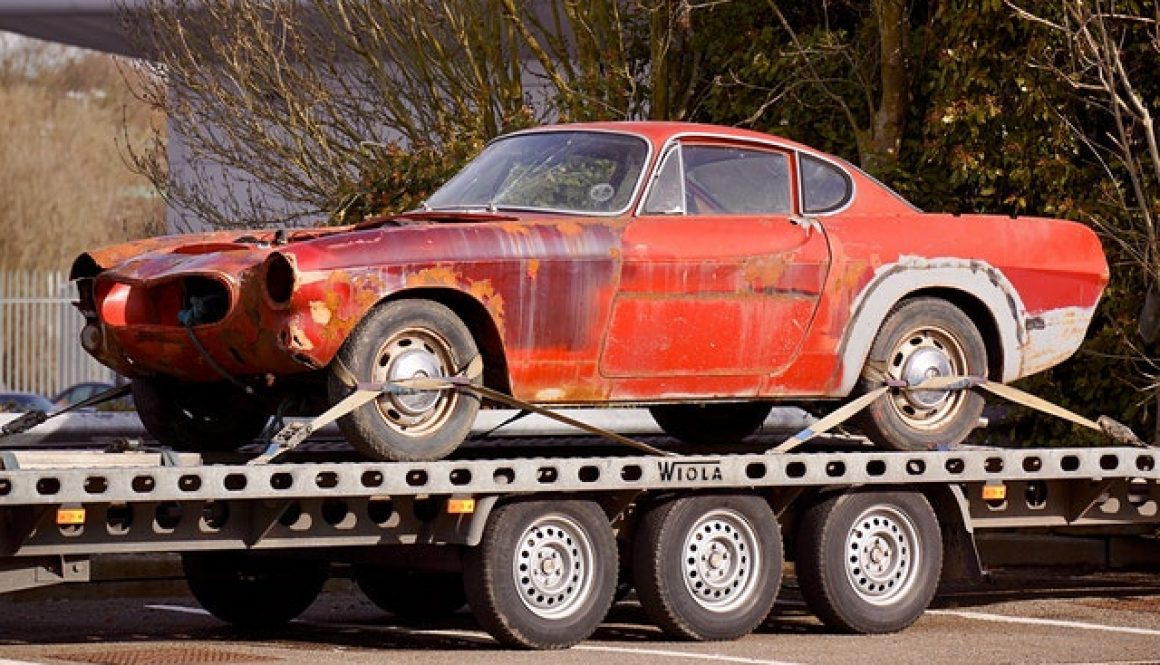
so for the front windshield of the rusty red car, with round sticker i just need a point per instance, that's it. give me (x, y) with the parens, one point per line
(578, 172)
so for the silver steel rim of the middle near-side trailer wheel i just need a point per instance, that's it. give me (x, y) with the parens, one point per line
(722, 561)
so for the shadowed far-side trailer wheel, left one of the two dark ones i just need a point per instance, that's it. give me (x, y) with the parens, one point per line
(253, 591)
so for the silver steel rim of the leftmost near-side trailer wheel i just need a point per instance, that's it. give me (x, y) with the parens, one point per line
(554, 568)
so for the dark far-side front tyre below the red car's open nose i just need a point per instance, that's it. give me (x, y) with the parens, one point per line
(212, 417)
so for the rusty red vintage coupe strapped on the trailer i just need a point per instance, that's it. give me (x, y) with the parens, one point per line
(705, 272)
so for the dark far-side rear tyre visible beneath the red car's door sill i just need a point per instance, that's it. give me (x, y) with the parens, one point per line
(700, 424)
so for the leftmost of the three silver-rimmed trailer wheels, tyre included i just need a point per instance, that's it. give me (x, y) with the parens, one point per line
(545, 574)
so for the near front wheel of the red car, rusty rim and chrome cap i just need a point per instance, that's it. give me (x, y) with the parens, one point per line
(405, 339)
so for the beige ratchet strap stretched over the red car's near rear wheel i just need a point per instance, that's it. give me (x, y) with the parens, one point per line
(1114, 430)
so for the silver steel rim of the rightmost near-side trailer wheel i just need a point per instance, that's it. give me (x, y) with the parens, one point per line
(882, 555)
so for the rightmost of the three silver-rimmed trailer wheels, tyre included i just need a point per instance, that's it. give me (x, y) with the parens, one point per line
(869, 562)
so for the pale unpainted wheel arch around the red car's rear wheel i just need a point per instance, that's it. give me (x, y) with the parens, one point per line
(978, 290)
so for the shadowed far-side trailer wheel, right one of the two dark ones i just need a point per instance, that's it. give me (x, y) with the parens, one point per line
(412, 596)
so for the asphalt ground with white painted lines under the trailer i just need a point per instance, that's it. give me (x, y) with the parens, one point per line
(1019, 617)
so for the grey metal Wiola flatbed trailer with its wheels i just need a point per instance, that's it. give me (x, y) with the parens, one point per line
(539, 547)
